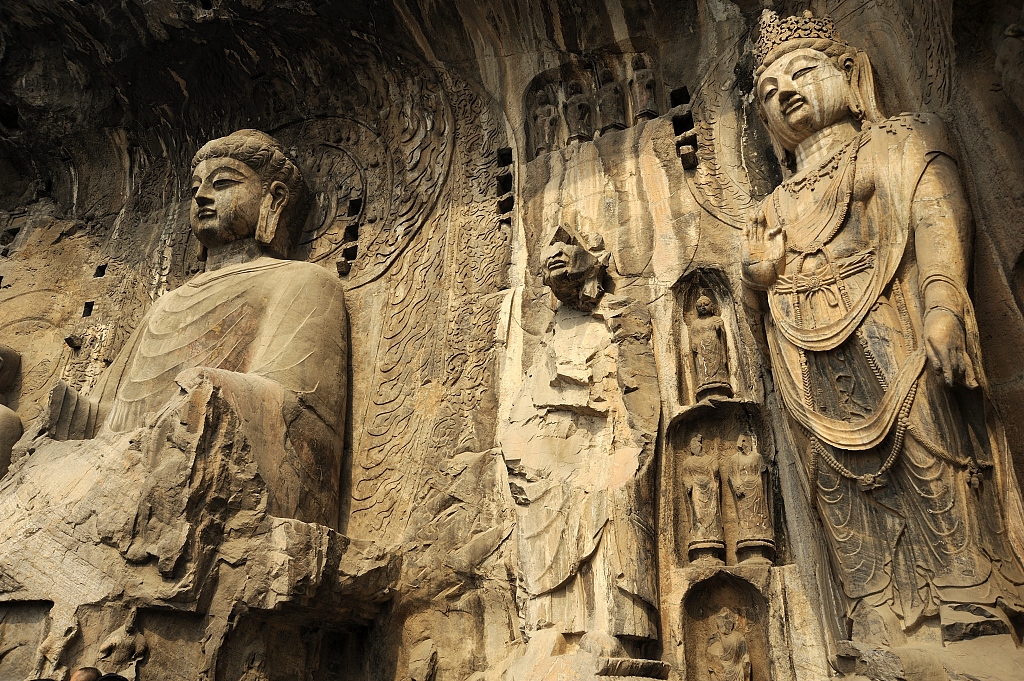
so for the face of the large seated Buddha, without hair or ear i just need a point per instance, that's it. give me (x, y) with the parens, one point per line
(227, 197)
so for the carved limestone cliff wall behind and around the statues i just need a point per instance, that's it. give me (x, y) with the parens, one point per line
(446, 145)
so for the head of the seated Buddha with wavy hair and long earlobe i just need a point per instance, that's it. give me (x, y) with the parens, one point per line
(244, 186)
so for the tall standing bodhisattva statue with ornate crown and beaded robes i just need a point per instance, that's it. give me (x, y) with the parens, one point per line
(864, 251)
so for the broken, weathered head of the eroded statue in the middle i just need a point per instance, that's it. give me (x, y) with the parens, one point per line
(575, 272)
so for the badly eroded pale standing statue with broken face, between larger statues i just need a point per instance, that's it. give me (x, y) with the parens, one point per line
(580, 452)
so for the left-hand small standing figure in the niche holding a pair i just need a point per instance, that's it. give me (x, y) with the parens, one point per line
(706, 541)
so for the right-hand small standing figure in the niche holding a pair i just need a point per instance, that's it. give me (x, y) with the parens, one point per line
(748, 480)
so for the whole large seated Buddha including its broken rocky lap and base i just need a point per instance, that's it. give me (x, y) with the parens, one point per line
(203, 472)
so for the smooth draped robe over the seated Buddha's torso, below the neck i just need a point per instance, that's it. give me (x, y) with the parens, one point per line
(280, 327)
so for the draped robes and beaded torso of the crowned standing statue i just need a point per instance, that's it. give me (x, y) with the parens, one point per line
(845, 327)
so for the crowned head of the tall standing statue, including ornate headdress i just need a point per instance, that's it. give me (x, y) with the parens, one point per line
(808, 79)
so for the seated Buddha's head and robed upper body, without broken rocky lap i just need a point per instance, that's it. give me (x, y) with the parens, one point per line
(268, 332)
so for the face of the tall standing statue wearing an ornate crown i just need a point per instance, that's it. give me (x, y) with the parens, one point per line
(802, 93)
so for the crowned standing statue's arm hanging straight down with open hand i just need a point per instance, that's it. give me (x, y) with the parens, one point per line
(942, 223)
